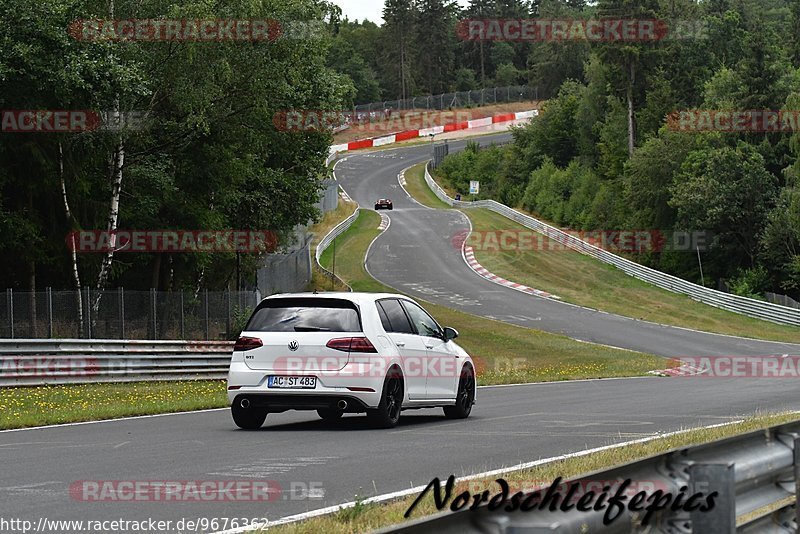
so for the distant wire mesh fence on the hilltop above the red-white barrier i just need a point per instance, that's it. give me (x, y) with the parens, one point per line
(461, 99)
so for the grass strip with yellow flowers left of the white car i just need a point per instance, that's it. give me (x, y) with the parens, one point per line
(49, 405)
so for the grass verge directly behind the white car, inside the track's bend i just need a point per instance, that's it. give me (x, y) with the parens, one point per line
(504, 353)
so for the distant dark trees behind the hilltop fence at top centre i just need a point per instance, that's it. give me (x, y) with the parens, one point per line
(417, 50)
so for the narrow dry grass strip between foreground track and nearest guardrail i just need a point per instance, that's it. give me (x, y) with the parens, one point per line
(368, 517)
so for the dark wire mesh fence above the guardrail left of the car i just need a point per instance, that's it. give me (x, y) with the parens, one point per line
(120, 314)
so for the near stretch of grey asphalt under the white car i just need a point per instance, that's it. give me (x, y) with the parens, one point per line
(509, 425)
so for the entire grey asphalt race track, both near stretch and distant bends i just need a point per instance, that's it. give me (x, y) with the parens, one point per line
(336, 461)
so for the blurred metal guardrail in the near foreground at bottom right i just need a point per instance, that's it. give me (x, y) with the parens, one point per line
(756, 475)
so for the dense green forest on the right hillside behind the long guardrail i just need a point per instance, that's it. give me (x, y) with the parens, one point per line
(603, 155)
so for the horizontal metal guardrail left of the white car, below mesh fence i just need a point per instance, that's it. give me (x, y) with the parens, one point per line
(37, 362)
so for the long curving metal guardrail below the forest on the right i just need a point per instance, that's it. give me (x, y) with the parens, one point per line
(742, 305)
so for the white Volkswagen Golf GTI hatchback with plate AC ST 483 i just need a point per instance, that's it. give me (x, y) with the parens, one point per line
(342, 353)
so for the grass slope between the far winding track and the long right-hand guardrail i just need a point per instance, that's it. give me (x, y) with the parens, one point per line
(582, 280)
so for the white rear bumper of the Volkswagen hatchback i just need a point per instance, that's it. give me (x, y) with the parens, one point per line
(331, 387)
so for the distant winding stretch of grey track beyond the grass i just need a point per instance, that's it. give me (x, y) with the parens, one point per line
(417, 257)
